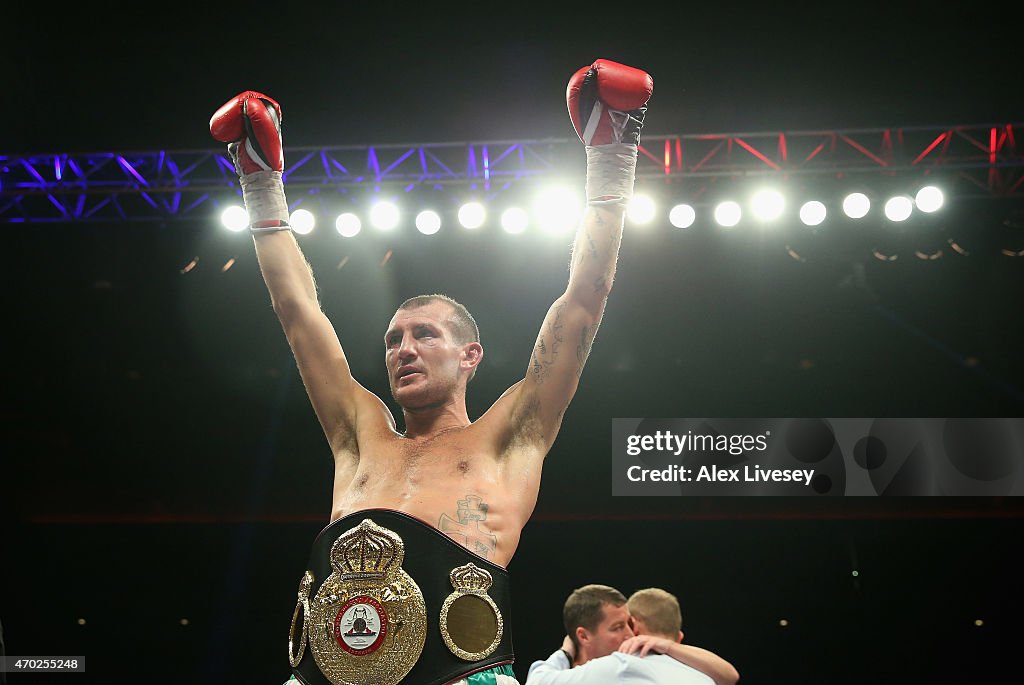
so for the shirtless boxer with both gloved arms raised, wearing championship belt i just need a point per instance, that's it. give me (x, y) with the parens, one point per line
(475, 482)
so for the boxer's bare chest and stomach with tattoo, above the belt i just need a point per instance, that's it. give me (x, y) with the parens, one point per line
(461, 482)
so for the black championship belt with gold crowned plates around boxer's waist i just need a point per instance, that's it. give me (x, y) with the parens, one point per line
(389, 600)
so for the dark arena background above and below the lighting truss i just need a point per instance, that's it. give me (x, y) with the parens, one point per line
(162, 461)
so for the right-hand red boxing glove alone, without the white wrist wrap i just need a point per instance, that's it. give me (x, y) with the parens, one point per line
(608, 103)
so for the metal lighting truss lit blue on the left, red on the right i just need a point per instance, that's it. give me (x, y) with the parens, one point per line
(983, 161)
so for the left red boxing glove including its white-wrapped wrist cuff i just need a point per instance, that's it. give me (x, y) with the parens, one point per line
(250, 123)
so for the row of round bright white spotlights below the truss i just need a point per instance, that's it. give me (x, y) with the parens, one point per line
(559, 211)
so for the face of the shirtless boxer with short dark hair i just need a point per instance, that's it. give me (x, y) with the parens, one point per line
(422, 357)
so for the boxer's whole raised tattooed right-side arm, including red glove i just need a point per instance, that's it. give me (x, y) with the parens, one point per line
(607, 103)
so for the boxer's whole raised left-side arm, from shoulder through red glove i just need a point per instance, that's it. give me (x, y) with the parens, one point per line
(250, 123)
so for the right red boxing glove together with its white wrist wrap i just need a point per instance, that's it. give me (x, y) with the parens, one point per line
(608, 103)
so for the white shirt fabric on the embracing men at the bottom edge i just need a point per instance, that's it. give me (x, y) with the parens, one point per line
(616, 668)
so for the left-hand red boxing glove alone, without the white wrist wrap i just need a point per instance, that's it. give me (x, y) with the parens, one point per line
(250, 122)
